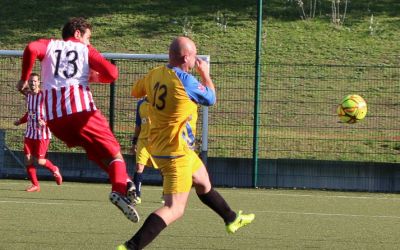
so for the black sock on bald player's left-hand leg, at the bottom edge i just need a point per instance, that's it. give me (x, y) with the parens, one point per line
(152, 226)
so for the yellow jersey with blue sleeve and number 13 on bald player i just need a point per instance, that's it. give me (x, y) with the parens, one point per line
(173, 97)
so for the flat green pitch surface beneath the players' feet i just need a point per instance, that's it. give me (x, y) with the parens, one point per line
(79, 216)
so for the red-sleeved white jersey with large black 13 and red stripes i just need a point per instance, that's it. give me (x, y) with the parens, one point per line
(65, 71)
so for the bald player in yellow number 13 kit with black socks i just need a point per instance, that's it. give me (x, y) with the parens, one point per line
(173, 95)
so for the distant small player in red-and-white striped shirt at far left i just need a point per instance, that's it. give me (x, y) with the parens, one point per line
(37, 134)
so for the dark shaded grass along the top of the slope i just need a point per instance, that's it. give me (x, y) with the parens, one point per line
(25, 20)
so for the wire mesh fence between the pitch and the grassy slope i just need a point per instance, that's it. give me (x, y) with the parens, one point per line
(297, 112)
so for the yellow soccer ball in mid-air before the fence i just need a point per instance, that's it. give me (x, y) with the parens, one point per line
(352, 109)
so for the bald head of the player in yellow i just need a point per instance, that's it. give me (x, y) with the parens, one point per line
(182, 53)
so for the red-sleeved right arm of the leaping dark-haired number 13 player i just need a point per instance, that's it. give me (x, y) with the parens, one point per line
(106, 72)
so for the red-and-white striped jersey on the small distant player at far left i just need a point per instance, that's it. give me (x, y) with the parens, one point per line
(36, 110)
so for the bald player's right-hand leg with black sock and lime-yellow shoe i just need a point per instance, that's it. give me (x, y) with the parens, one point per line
(210, 197)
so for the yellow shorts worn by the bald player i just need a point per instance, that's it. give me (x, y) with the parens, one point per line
(177, 172)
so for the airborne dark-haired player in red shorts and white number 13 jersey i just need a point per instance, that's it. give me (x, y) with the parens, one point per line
(67, 67)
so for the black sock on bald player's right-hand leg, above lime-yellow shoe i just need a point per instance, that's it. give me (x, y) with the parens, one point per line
(217, 203)
